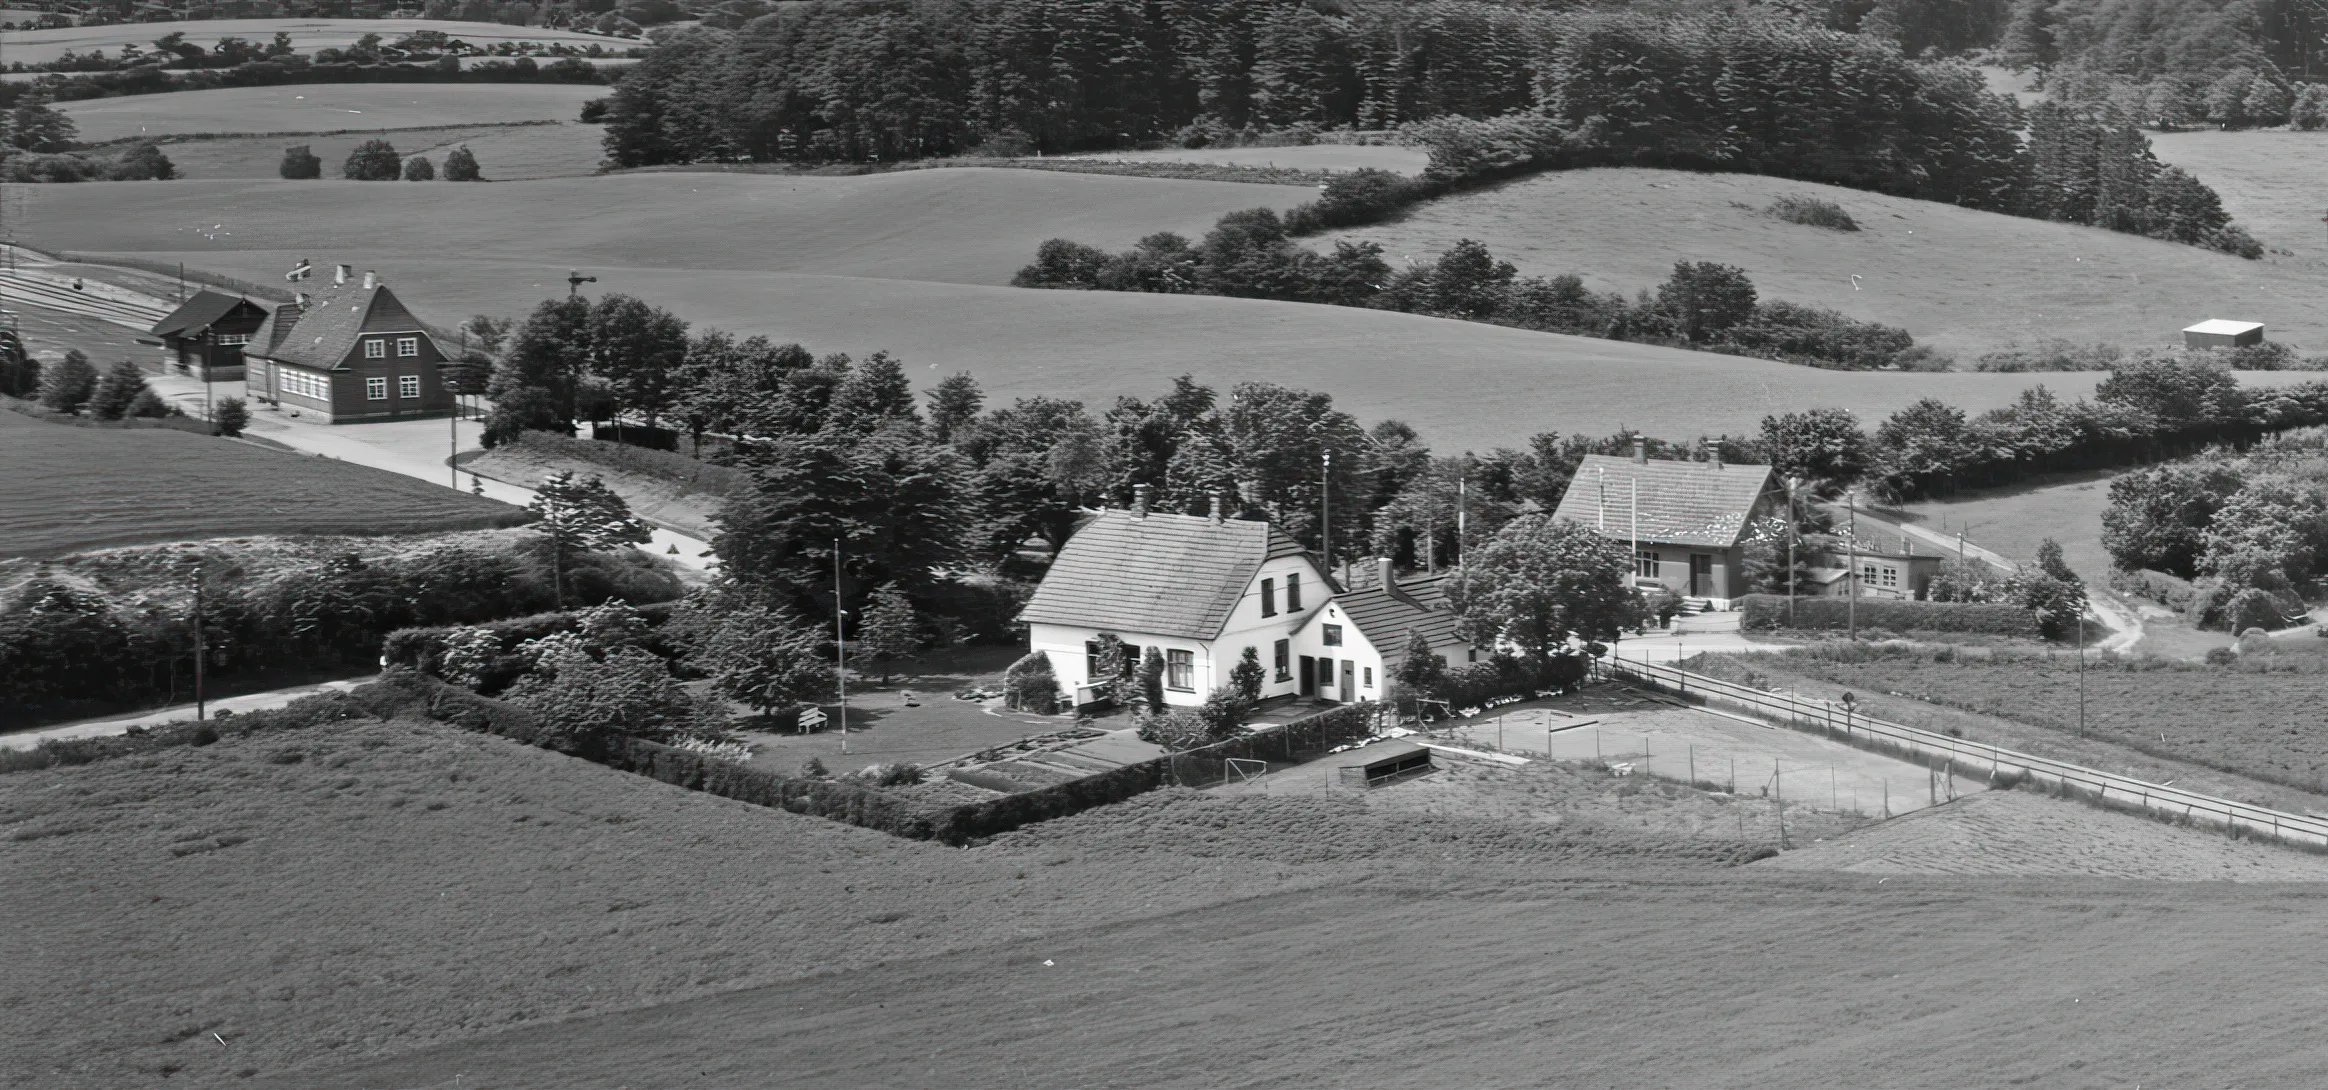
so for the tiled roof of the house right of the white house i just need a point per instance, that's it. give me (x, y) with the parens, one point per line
(1682, 502)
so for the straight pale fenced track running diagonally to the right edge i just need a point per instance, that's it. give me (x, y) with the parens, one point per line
(1938, 749)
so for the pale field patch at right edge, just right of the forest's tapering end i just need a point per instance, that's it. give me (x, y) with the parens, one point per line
(2269, 183)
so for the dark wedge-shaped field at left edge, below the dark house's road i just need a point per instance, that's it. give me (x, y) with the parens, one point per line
(92, 488)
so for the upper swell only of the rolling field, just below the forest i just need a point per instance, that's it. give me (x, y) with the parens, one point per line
(967, 227)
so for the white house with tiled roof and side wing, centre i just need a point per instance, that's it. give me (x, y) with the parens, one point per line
(1202, 588)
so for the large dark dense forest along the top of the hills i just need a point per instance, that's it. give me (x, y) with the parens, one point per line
(1489, 87)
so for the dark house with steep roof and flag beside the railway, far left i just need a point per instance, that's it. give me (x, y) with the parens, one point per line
(350, 353)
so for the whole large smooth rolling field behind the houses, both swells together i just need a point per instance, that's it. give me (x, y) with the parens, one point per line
(916, 264)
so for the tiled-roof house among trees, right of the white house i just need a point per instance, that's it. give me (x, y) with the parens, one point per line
(1687, 521)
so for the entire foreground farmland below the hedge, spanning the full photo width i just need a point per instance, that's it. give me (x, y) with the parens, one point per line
(404, 905)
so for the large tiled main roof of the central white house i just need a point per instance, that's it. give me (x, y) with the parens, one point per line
(1158, 574)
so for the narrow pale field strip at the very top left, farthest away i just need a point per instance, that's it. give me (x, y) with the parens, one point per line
(306, 36)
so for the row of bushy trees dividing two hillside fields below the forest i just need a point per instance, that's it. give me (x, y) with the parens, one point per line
(1703, 306)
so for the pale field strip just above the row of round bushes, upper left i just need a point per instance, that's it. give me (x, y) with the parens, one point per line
(325, 108)
